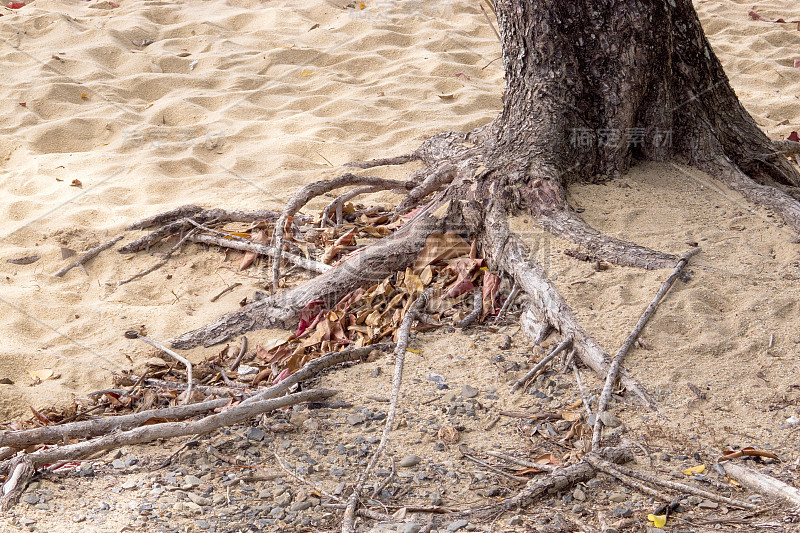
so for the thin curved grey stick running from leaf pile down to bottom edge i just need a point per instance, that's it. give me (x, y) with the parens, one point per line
(348, 522)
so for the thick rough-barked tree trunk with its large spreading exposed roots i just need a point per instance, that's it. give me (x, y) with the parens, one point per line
(592, 86)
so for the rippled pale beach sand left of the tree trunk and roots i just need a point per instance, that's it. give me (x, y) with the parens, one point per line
(233, 104)
